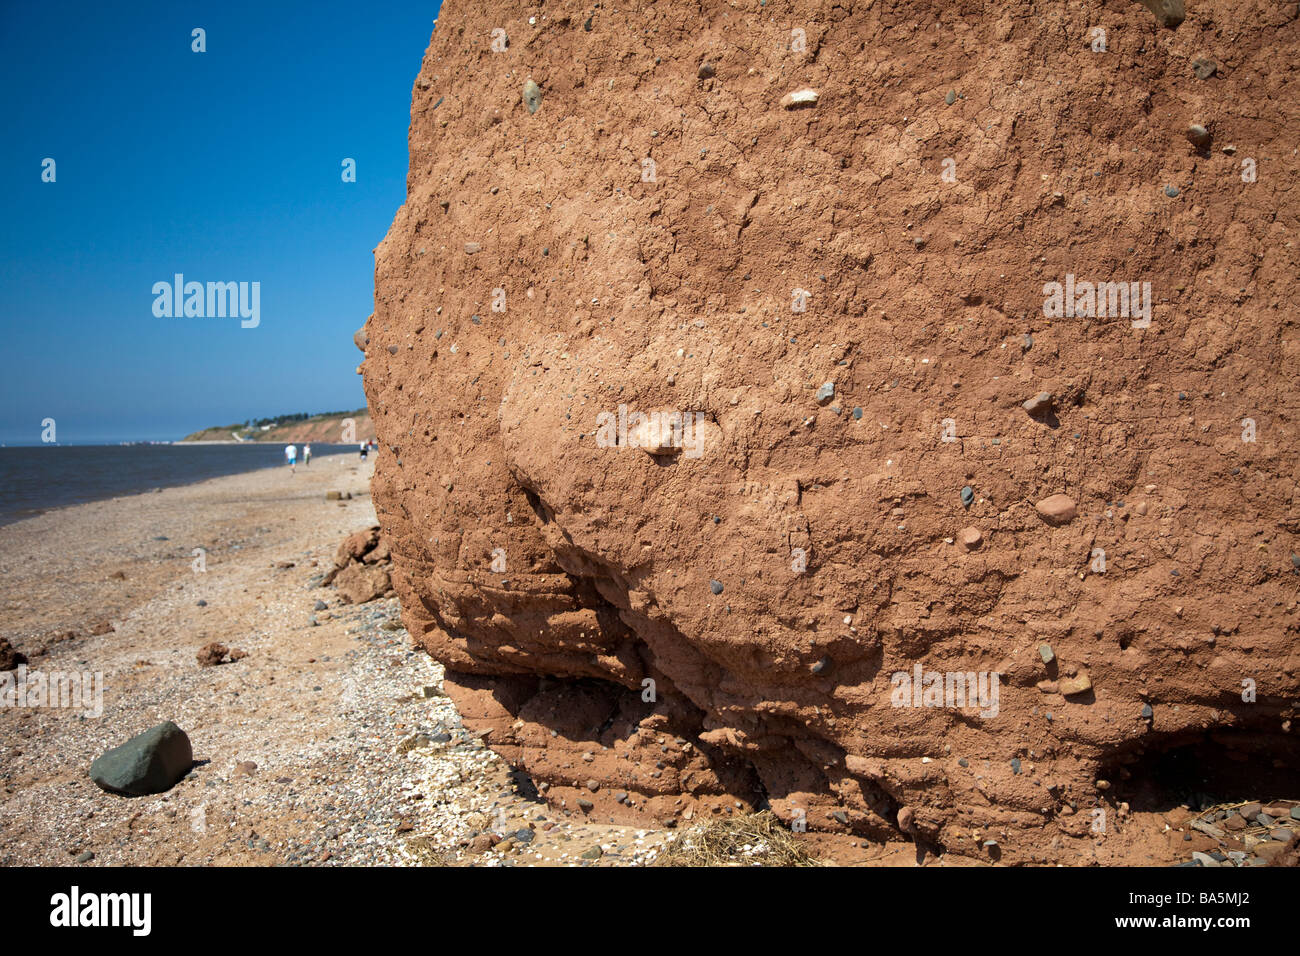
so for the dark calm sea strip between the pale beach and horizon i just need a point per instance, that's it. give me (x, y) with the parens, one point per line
(40, 478)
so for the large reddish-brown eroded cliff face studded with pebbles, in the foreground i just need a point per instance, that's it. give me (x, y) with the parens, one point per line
(665, 223)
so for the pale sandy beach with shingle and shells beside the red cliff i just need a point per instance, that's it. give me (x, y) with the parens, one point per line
(331, 743)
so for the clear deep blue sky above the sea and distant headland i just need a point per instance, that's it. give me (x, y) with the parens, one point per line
(223, 166)
